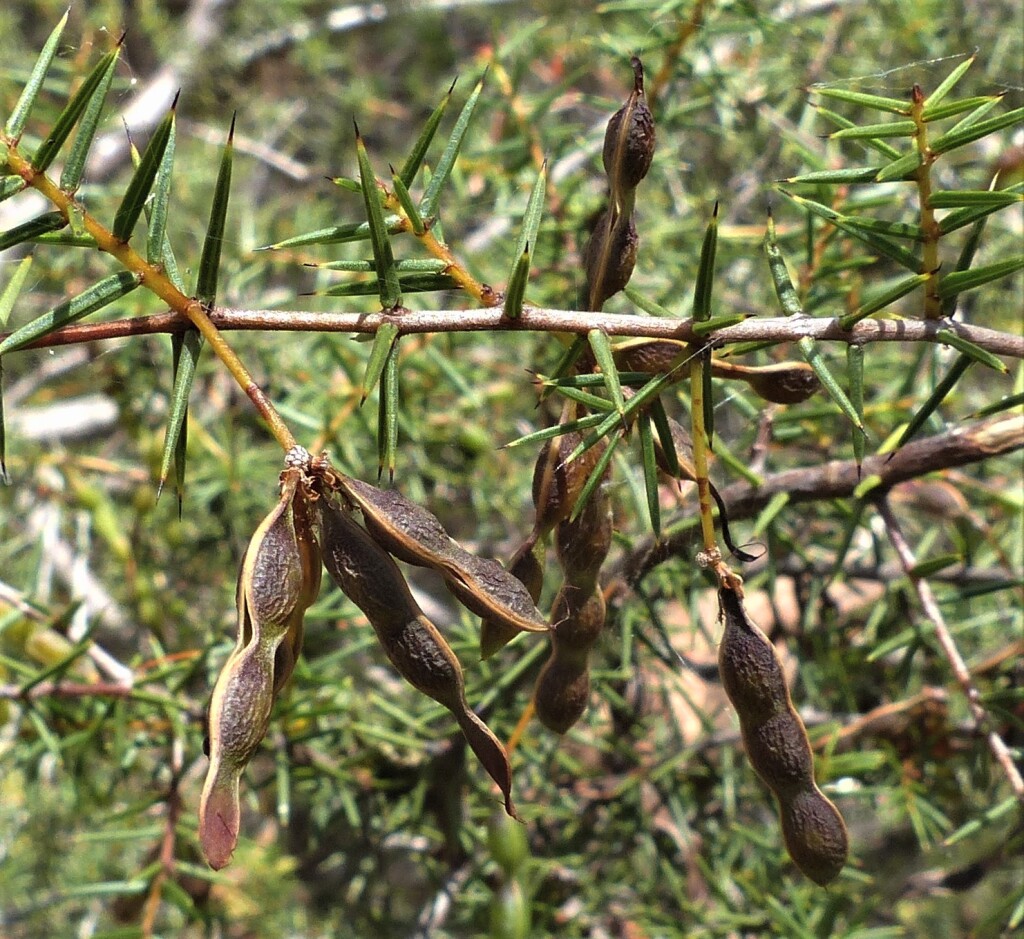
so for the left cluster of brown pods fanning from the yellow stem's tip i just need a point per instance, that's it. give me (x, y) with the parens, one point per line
(313, 524)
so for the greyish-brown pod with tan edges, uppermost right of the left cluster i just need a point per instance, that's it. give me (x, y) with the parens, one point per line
(415, 536)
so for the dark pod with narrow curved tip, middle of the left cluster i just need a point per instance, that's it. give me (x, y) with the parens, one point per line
(370, 578)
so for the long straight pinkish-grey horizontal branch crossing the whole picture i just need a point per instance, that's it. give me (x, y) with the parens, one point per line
(778, 329)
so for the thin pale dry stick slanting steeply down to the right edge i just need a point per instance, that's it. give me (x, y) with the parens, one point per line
(931, 610)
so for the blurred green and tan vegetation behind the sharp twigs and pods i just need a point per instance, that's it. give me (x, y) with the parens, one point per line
(362, 815)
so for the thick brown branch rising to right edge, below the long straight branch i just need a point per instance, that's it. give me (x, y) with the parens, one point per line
(839, 479)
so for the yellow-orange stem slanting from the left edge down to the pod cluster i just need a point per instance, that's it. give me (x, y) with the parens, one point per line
(155, 280)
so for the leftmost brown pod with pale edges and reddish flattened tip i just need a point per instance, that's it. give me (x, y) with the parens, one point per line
(280, 579)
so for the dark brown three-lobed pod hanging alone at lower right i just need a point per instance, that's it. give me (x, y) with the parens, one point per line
(777, 745)
